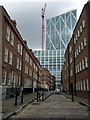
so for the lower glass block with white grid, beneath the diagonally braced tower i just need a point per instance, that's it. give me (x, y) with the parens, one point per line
(52, 60)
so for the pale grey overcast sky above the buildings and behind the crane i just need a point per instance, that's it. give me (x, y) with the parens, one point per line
(28, 15)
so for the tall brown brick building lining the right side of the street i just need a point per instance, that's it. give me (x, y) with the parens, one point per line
(76, 69)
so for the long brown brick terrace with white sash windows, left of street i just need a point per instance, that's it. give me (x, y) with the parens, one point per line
(19, 67)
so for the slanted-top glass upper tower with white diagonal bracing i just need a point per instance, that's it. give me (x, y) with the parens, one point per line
(59, 30)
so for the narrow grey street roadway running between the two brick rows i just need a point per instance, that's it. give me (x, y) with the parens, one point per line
(56, 106)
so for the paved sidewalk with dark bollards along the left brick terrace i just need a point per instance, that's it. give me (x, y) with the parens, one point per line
(8, 106)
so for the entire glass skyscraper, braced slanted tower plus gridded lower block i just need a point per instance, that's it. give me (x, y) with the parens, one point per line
(58, 33)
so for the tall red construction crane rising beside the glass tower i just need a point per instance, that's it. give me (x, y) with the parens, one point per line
(43, 27)
